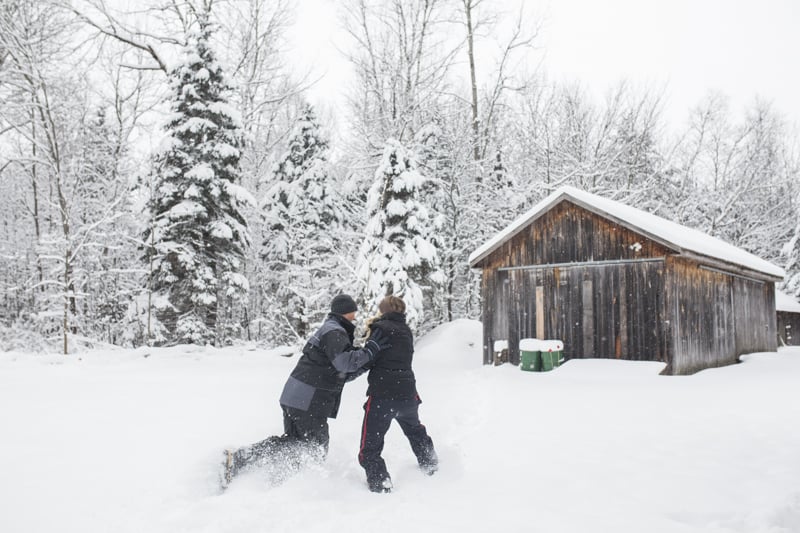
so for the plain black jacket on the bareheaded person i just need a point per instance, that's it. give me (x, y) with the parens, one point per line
(391, 375)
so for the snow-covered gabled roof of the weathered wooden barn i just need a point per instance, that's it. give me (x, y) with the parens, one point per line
(682, 239)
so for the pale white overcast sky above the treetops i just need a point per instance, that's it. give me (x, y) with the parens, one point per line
(742, 48)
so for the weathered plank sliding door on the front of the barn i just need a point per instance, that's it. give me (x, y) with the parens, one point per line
(604, 311)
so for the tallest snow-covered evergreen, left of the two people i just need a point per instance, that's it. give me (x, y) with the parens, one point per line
(199, 233)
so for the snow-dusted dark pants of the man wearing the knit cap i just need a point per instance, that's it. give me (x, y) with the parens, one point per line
(305, 439)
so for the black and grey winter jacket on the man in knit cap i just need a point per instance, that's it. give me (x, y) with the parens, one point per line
(315, 385)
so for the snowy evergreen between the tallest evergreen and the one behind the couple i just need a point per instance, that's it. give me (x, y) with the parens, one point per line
(302, 213)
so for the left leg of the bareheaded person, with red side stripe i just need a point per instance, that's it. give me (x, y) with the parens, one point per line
(377, 419)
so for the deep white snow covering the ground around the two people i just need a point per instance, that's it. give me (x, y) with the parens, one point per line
(118, 442)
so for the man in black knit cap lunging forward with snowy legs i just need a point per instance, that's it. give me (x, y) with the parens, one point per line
(311, 395)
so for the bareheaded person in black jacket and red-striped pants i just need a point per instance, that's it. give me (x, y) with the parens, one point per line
(392, 395)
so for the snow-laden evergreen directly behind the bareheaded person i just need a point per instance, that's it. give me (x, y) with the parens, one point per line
(397, 256)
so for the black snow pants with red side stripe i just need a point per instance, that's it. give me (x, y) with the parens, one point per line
(378, 416)
